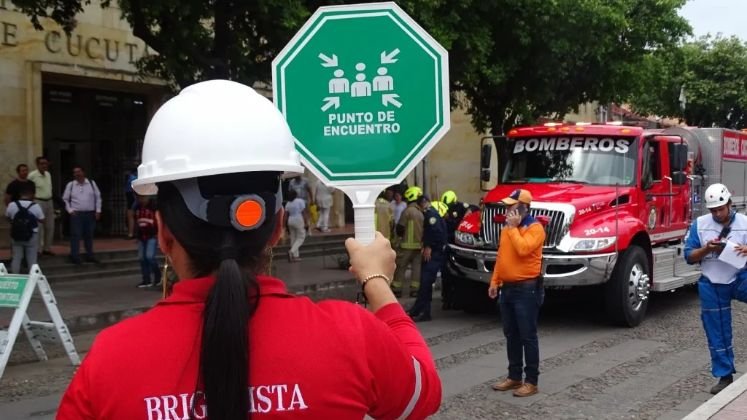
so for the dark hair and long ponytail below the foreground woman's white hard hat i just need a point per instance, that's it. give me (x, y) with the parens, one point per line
(235, 258)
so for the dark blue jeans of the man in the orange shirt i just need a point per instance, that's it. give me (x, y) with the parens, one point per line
(520, 305)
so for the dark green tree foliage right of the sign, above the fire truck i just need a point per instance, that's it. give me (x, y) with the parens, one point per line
(546, 57)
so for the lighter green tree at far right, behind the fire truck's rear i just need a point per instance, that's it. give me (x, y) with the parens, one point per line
(712, 74)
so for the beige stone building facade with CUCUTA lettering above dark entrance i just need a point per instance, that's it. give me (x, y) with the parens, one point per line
(79, 100)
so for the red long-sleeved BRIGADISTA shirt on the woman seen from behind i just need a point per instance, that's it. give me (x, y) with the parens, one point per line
(327, 360)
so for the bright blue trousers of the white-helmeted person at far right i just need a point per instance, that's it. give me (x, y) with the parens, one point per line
(715, 312)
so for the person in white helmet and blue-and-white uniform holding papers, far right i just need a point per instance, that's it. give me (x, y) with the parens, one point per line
(720, 282)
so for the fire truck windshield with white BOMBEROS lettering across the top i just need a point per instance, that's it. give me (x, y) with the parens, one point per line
(601, 160)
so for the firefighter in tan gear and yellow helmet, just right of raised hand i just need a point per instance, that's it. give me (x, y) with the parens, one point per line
(409, 232)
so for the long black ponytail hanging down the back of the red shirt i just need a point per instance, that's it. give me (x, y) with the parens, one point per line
(224, 360)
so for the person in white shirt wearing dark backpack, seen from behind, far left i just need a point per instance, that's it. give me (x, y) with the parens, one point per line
(24, 216)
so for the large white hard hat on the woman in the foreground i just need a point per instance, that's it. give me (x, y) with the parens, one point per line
(211, 128)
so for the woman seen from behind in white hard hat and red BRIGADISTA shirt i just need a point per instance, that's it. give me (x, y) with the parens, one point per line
(230, 342)
